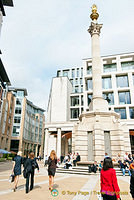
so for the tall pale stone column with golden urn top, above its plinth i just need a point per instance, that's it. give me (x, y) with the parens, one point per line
(97, 103)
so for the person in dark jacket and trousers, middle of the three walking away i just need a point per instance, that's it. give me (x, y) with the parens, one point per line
(29, 167)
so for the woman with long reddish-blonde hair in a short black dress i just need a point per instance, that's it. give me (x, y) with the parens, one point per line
(52, 164)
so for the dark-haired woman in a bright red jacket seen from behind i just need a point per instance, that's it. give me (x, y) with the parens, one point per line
(109, 186)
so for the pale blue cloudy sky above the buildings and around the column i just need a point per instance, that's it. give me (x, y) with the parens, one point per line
(40, 36)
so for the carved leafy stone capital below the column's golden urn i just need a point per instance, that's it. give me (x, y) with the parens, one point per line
(94, 28)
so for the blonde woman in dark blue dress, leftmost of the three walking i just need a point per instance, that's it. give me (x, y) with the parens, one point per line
(16, 170)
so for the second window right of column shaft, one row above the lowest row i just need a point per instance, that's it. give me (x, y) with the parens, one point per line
(124, 98)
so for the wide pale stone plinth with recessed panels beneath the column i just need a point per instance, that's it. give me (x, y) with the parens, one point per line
(100, 132)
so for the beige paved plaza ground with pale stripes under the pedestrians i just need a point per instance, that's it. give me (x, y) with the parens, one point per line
(73, 187)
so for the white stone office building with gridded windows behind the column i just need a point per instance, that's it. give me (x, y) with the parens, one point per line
(71, 93)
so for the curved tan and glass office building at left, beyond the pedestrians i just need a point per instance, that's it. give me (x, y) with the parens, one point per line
(22, 127)
